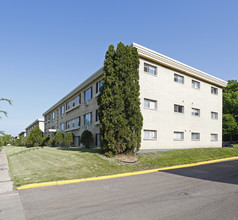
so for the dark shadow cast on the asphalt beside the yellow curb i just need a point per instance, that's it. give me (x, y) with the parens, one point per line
(225, 172)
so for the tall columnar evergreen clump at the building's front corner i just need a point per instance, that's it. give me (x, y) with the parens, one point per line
(119, 103)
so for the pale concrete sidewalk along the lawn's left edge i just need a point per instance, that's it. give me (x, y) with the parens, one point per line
(10, 203)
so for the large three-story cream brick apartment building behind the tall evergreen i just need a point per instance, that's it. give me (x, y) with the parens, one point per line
(181, 106)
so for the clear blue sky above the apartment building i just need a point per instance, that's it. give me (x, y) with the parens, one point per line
(47, 48)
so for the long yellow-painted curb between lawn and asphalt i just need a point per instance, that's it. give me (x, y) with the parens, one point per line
(63, 182)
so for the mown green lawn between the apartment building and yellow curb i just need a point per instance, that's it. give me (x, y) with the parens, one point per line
(32, 165)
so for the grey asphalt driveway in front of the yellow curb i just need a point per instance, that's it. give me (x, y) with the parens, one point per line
(202, 192)
